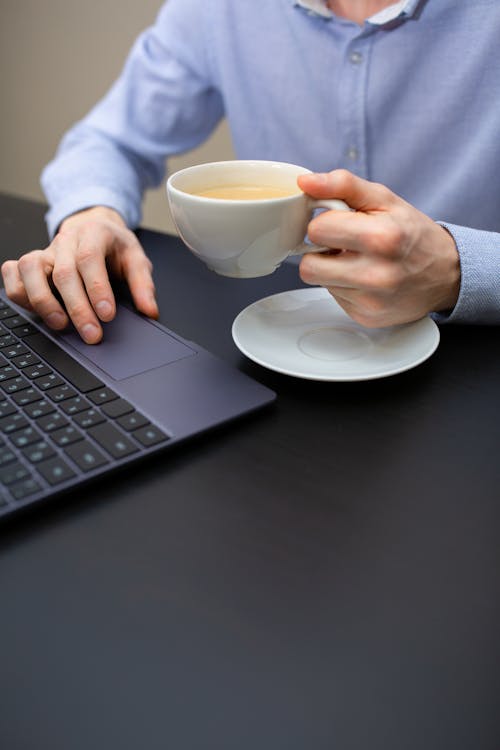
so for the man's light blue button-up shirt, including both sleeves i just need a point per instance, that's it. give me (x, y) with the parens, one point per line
(410, 99)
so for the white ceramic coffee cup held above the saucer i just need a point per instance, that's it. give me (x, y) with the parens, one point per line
(243, 237)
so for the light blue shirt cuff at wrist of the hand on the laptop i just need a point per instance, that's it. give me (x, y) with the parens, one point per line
(87, 198)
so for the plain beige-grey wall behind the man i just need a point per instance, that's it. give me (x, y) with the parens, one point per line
(57, 58)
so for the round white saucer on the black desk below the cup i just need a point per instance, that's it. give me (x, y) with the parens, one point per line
(305, 333)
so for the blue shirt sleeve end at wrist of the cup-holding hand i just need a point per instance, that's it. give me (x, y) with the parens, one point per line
(479, 296)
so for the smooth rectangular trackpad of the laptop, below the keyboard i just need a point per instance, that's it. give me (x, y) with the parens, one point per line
(131, 345)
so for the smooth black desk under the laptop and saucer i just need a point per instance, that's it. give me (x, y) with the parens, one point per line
(325, 574)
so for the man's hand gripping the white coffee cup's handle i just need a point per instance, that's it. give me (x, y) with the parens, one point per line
(389, 263)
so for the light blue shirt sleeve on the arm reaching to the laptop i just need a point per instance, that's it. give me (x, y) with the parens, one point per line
(162, 104)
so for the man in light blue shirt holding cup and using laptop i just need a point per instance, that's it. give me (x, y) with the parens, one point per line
(406, 94)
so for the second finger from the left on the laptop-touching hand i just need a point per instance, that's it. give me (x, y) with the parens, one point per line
(34, 270)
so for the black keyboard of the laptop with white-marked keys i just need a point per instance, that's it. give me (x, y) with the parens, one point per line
(59, 423)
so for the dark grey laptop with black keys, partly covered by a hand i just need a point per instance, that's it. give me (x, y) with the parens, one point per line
(70, 412)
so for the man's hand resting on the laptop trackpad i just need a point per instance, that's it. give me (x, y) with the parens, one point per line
(76, 263)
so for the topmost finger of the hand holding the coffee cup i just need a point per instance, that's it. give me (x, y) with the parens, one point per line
(358, 193)
